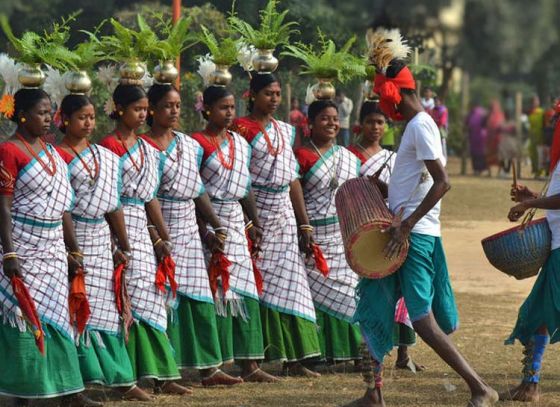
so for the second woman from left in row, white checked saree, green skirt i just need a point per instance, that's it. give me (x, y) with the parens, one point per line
(95, 176)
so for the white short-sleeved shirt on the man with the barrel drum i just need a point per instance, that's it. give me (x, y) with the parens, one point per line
(410, 180)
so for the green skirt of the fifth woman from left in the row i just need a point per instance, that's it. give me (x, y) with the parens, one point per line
(239, 339)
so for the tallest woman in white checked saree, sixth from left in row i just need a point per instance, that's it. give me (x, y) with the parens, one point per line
(287, 310)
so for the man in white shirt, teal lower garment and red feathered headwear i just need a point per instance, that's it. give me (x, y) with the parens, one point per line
(417, 184)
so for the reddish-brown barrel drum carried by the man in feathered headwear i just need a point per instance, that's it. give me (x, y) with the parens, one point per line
(363, 214)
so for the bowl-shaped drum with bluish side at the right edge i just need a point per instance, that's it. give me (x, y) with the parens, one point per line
(520, 251)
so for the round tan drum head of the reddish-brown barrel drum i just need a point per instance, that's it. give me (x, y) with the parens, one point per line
(365, 252)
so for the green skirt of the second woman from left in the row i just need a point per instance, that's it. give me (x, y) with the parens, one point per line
(104, 360)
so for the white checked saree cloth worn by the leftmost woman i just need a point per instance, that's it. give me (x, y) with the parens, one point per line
(38, 205)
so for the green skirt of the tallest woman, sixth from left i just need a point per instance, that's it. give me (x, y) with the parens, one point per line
(288, 338)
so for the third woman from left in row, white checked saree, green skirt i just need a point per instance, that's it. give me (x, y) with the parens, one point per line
(148, 346)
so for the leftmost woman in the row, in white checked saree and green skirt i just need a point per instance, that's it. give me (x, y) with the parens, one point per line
(35, 195)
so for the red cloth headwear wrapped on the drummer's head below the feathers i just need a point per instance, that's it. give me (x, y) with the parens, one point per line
(389, 91)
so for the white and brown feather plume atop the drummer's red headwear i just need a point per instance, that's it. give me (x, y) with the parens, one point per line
(385, 45)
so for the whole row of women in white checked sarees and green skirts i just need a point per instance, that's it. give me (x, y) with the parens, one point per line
(198, 250)
